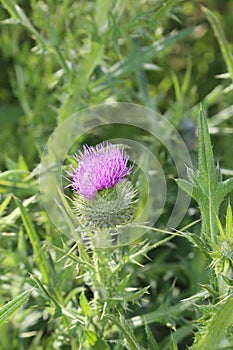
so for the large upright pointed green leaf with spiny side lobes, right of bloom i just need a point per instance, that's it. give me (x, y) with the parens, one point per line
(208, 188)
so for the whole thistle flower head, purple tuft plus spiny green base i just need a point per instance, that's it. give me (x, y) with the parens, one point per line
(103, 196)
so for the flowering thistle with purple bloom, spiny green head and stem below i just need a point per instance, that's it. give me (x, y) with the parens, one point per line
(104, 198)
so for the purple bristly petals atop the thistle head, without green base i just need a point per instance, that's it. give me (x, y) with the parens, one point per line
(102, 166)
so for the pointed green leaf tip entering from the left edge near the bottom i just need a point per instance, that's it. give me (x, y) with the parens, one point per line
(6, 311)
